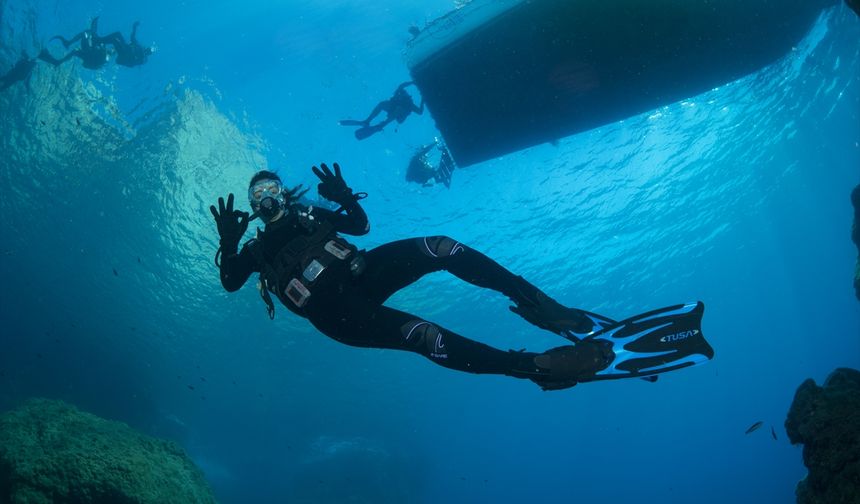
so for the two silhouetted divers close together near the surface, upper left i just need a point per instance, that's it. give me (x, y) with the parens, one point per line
(93, 49)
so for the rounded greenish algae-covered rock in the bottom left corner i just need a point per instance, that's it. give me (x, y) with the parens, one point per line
(51, 452)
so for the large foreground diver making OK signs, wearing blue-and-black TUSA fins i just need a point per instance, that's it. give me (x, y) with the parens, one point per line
(303, 260)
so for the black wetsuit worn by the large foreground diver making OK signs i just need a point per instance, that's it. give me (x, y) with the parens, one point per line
(348, 306)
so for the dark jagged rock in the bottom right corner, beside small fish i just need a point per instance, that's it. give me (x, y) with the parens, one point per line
(826, 420)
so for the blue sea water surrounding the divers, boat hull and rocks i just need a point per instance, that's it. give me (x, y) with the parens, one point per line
(109, 298)
